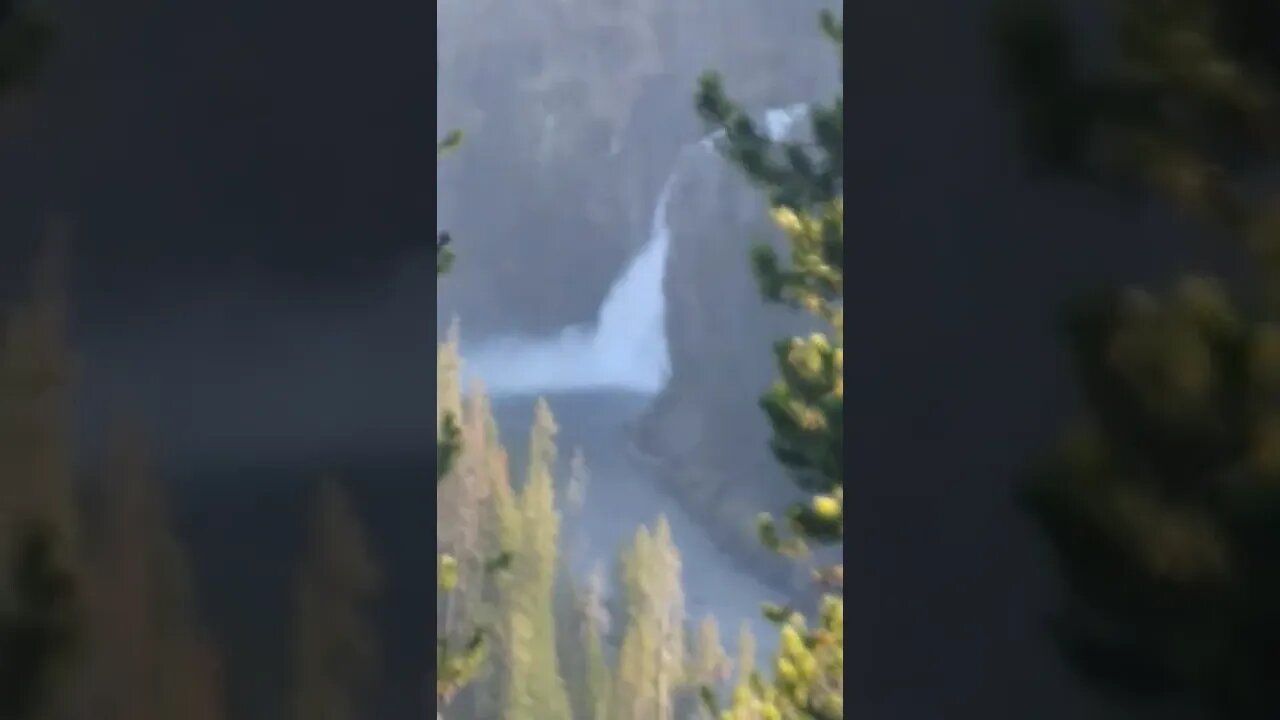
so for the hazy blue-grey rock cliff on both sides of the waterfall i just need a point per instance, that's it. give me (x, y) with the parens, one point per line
(575, 116)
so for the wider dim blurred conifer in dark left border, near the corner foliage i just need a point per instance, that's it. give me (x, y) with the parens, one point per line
(150, 659)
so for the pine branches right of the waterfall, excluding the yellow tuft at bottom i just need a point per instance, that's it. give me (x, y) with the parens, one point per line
(804, 181)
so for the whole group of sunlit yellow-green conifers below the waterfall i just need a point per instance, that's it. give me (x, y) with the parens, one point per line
(528, 644)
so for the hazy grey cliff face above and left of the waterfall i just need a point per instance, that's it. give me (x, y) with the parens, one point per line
(575, 113)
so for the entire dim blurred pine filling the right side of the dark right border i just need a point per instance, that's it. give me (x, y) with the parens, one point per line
(1160, 502)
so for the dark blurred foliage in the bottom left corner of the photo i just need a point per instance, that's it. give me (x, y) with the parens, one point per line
(39, 626)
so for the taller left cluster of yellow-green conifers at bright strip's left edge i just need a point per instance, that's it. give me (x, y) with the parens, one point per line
(482, 517)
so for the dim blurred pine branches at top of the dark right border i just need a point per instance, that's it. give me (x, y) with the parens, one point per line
(1183, 101)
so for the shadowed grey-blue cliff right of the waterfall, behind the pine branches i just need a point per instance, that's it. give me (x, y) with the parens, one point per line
(706, 429)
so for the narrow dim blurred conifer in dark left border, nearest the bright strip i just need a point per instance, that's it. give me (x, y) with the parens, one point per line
(336, 645)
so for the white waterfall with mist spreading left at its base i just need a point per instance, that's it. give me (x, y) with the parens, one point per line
(627, 349)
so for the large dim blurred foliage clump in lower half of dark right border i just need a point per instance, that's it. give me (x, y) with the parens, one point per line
(1162, 502)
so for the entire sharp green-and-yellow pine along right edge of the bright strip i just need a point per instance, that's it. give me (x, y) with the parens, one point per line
(804, 181)
